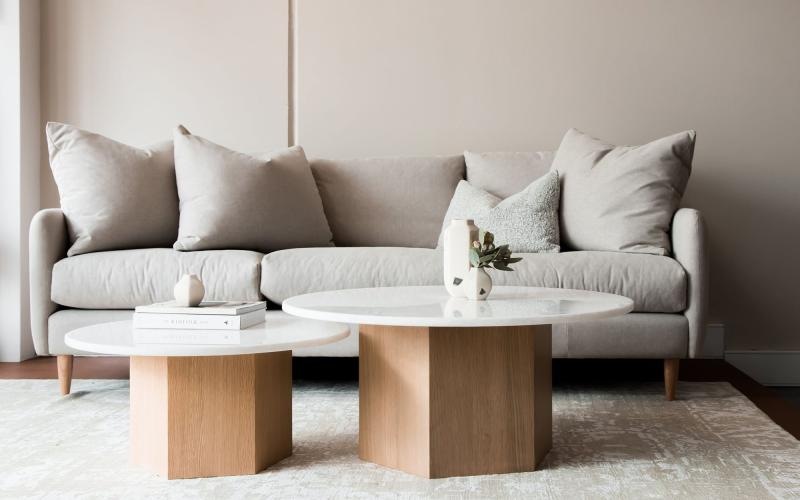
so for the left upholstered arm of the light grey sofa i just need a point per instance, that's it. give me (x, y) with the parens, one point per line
(47, 245)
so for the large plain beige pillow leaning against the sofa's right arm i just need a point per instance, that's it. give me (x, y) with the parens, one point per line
(621, 198)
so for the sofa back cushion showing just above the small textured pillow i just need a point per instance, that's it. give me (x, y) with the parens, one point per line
(506, 173)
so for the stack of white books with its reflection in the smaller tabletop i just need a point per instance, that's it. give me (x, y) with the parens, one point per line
(210, 322)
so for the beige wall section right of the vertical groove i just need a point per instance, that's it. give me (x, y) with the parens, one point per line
(419, 77)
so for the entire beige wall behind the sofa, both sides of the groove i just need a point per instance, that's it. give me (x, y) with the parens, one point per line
(383, 77)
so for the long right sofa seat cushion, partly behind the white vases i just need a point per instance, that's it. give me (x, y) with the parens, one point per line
(654, 283)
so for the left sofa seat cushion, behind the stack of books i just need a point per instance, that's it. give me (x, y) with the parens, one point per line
(124, 279)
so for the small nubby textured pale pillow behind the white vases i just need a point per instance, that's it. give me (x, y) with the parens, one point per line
(526, 221)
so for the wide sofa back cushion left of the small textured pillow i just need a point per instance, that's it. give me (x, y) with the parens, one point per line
(387, 201)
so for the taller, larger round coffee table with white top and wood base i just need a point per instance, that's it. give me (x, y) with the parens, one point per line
(453, 387)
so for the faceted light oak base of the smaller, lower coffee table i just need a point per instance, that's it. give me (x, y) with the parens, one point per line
(211, 415)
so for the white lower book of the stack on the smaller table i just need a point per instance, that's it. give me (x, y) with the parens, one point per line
(197, 321)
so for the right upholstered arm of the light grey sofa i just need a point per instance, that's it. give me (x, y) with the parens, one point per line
(690, 249)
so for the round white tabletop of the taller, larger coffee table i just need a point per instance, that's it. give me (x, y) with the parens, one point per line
(433, 306)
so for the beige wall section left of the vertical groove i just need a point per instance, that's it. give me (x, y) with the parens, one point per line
(133, 69)
